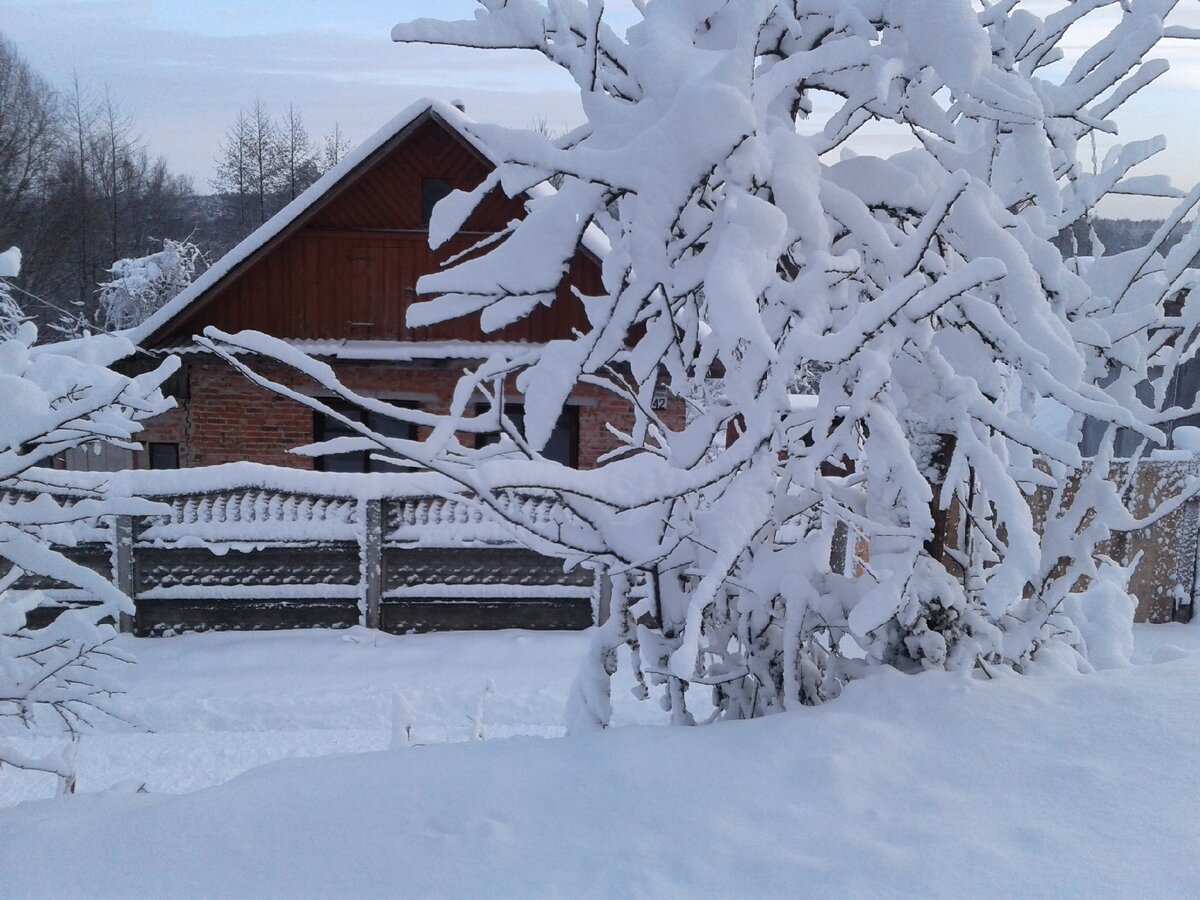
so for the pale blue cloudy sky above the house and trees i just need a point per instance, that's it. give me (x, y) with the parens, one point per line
(182, 69)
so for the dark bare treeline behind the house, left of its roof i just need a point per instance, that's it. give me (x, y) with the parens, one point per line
(80, 188)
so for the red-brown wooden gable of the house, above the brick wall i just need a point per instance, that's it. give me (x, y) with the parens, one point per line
(347, 267)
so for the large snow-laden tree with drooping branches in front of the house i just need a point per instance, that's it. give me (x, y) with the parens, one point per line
(751, 257)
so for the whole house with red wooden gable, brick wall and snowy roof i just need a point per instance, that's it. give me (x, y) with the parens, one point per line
(334, 274)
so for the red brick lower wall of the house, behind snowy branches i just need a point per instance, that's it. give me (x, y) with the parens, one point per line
(225, 418)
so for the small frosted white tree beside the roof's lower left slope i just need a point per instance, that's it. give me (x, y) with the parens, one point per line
(141, 286)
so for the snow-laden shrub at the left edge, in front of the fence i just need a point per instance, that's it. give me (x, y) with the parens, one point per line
(55, 679)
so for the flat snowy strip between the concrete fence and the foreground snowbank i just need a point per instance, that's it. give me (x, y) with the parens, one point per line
(217, 705)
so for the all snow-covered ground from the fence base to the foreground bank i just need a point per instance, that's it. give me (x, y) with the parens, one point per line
(938, 785)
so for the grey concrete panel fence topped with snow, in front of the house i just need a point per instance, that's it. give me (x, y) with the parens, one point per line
(251, 547)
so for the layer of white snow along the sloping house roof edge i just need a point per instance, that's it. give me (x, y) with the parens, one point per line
(451, 116)
